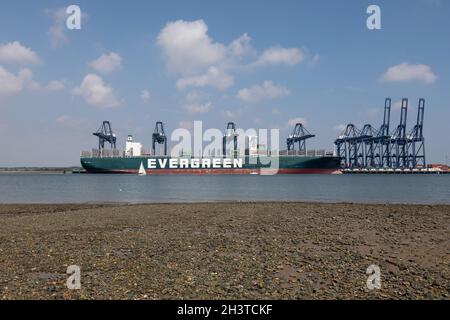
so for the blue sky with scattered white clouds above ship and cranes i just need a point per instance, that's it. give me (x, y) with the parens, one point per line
(261, 64)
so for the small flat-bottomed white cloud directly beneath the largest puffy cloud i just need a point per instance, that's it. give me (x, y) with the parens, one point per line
(214, 77)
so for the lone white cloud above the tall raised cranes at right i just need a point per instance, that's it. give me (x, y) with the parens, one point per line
(405, 72)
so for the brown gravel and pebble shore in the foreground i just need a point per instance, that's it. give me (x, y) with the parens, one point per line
(225, 251)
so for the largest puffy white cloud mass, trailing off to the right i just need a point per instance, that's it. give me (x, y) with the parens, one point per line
(200, 61)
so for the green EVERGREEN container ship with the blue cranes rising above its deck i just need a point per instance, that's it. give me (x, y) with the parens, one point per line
(256, 159)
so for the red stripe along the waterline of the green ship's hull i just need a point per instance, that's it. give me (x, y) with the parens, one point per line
(226, 171)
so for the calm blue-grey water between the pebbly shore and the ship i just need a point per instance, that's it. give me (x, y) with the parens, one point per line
(78, 188)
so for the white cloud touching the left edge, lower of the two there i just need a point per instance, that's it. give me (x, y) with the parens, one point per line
(12, 84)
